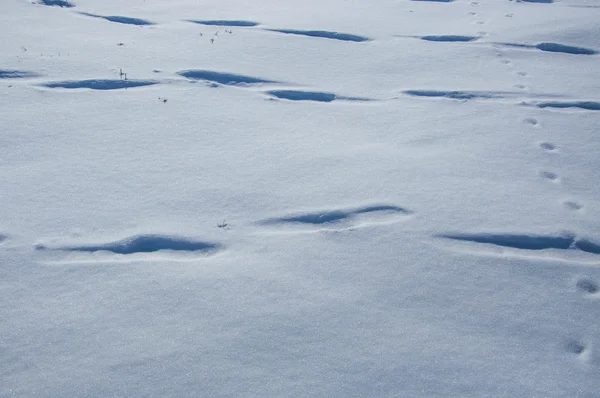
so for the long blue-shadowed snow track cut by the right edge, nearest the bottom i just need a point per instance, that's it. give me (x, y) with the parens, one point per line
(529, 242)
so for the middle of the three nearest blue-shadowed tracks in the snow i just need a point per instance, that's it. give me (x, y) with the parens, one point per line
(333, 217)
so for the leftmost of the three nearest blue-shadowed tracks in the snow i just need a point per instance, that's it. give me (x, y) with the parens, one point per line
(142, 244)
